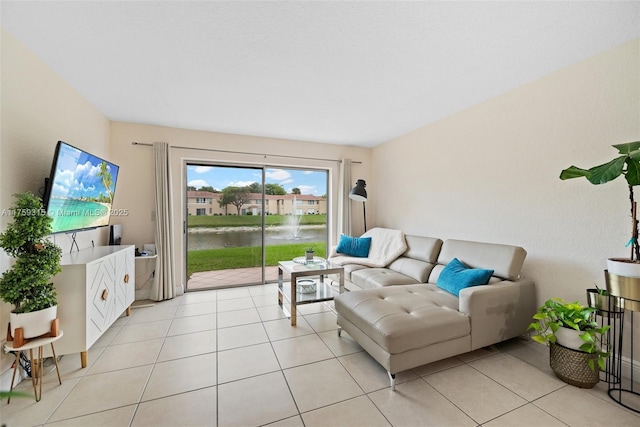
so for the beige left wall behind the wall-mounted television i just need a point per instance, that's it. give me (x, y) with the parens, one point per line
(38, 109)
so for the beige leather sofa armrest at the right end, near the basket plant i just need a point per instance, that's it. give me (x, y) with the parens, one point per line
(498, 311)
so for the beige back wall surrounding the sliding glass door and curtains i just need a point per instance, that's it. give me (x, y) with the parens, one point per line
(136, 169)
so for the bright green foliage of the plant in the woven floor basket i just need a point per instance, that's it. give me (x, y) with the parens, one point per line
(557, 313)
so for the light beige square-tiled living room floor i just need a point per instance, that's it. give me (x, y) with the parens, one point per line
(229, 357)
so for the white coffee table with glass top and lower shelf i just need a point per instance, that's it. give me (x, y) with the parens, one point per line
(305, 290)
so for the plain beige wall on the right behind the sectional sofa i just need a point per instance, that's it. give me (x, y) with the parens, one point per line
(490, 173)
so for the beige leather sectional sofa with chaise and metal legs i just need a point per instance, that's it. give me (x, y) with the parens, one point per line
(399, 315)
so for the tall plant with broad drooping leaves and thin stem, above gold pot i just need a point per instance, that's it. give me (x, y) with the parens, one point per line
(626, 164)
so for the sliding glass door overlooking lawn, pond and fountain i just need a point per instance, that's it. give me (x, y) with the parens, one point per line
(242, 220)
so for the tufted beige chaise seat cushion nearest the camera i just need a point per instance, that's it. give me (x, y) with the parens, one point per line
(402, 318)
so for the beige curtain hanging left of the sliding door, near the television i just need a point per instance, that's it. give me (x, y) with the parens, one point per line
(162, 288)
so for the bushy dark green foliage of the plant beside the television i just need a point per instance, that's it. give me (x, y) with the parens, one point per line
(27, 284)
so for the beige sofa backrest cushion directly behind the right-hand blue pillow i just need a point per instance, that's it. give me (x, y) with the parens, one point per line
(505, 260)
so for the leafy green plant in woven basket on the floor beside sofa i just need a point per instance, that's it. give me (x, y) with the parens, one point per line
(574, 339)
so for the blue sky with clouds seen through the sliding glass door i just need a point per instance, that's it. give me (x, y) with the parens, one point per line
(219, 177)
